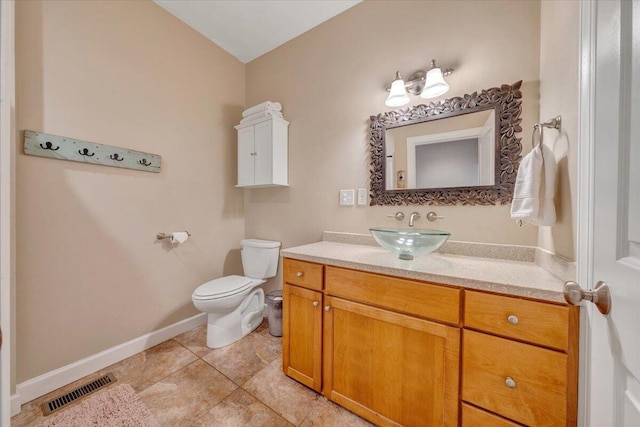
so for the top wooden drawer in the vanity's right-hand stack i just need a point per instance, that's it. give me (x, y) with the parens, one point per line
(531, 321)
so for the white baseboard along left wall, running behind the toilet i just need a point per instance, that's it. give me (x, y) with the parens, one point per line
(45, 383)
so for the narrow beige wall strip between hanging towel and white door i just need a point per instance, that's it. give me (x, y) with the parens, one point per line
(559, 91)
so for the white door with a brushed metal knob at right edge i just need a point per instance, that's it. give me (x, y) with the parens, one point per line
(609, 210)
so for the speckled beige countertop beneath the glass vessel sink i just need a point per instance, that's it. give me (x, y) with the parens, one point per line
(516, 278)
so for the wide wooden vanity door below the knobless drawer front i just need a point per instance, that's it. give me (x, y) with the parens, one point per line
(390, 368)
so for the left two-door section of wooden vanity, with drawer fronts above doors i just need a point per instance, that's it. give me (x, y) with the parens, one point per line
(372, 343)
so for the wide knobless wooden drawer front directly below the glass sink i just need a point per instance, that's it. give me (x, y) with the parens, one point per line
(421, 299)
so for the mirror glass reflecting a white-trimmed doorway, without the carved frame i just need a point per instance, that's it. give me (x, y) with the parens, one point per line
(455, 152)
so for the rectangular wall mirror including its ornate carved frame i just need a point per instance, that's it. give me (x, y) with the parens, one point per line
(459, 150)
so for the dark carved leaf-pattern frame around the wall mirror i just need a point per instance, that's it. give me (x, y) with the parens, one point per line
(506, 100)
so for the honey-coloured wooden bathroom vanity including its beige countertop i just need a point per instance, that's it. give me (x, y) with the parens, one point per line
(437, 341)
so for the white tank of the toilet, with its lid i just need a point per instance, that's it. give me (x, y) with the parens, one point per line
(259, 258)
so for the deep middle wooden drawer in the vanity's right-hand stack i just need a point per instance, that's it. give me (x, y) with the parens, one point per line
(519, 381)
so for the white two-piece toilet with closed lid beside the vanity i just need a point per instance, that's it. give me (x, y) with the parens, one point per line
(234, 304)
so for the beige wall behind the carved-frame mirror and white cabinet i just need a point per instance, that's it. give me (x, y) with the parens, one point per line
(332, 78)
